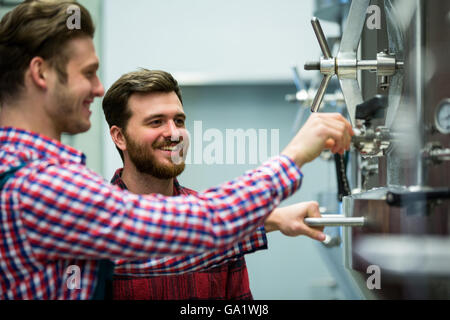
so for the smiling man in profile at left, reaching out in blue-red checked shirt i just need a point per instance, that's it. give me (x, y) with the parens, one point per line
(57, 215)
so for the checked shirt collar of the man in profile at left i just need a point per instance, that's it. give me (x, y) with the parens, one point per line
(33, 145)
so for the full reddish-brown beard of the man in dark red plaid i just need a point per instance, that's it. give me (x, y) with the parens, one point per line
(145, 161)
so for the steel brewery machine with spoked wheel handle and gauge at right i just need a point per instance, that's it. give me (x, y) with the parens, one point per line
(390, 238)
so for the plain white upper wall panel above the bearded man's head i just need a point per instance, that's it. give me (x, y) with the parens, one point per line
(213, 41)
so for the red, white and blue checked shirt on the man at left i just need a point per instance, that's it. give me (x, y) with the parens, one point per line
(58, 218)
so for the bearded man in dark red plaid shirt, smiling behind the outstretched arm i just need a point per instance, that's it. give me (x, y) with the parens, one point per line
(147, 124)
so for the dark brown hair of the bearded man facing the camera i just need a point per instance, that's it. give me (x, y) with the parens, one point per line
(115, 102)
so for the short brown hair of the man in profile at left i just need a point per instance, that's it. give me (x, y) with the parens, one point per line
(37, 28)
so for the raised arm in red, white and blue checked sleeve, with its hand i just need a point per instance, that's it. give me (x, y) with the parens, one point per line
(68, 211)
